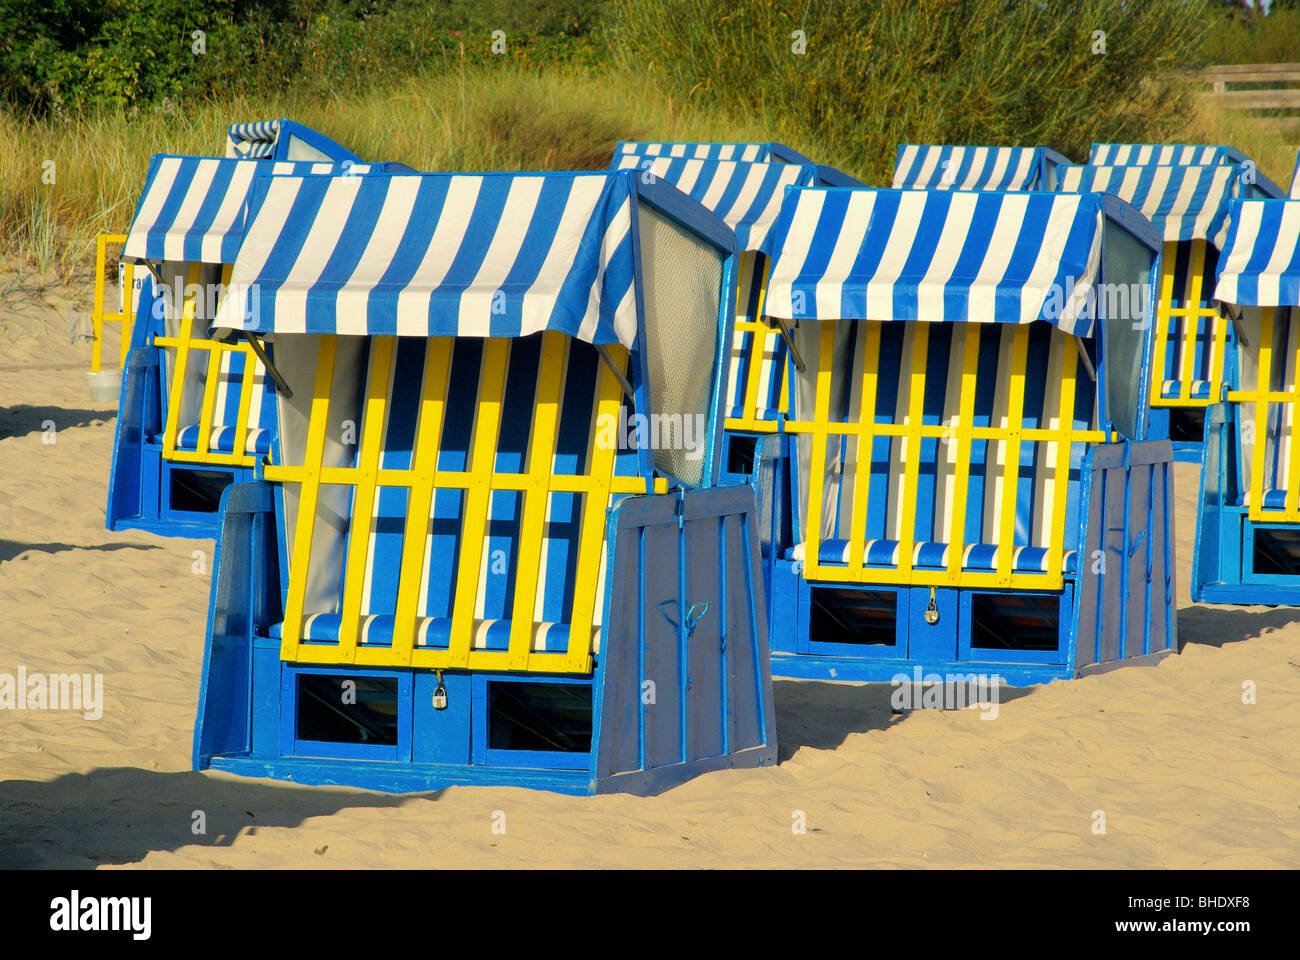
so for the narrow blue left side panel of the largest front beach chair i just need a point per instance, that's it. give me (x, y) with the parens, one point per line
(244, 582)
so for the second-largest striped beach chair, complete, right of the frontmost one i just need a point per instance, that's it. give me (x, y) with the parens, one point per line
(978, 485)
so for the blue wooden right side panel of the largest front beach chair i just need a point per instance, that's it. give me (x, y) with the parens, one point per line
(691, 611)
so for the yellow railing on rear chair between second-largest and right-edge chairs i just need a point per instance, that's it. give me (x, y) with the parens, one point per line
(1194, 317)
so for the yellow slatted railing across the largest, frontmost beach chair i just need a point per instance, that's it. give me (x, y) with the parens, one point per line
(478, 485)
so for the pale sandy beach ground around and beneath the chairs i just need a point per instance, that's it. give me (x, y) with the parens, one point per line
(1186, 775)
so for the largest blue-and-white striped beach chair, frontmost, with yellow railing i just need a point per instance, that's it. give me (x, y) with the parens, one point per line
(493, 509)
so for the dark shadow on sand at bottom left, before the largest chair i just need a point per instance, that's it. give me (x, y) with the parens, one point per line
(120, 815)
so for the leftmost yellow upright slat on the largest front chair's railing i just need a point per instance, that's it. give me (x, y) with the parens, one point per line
(309, 492)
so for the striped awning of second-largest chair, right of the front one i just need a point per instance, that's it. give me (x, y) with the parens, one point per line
(937, 256)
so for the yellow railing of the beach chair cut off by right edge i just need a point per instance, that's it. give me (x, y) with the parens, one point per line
(1273, 453)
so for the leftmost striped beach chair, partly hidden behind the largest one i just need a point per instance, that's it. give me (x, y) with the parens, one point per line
(194, 413)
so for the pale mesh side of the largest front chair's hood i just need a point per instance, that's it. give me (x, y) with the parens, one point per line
(682, 278)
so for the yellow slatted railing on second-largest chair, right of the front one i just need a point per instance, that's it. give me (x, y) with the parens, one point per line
(1011, 436)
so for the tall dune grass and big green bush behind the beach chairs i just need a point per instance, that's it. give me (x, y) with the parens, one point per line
(874, 75)
